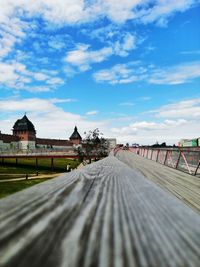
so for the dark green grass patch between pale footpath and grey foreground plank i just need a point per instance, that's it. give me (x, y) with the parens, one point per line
(7, 188)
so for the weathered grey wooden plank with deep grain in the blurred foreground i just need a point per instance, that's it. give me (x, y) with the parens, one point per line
(105, 215)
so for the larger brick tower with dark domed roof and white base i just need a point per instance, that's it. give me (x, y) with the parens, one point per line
(25, 130)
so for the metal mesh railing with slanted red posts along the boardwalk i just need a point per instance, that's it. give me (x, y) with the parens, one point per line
(183, 159)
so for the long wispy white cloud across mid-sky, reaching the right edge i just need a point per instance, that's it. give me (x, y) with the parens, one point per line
(128, 73)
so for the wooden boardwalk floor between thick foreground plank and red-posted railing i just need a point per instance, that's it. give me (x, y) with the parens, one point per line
(184, 186)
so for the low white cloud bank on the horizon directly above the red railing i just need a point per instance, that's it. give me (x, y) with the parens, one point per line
(150, 132)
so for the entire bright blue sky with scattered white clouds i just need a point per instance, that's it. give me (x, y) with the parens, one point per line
(129, 67)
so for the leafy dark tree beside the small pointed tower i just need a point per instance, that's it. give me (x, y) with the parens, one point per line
(93, 146)
